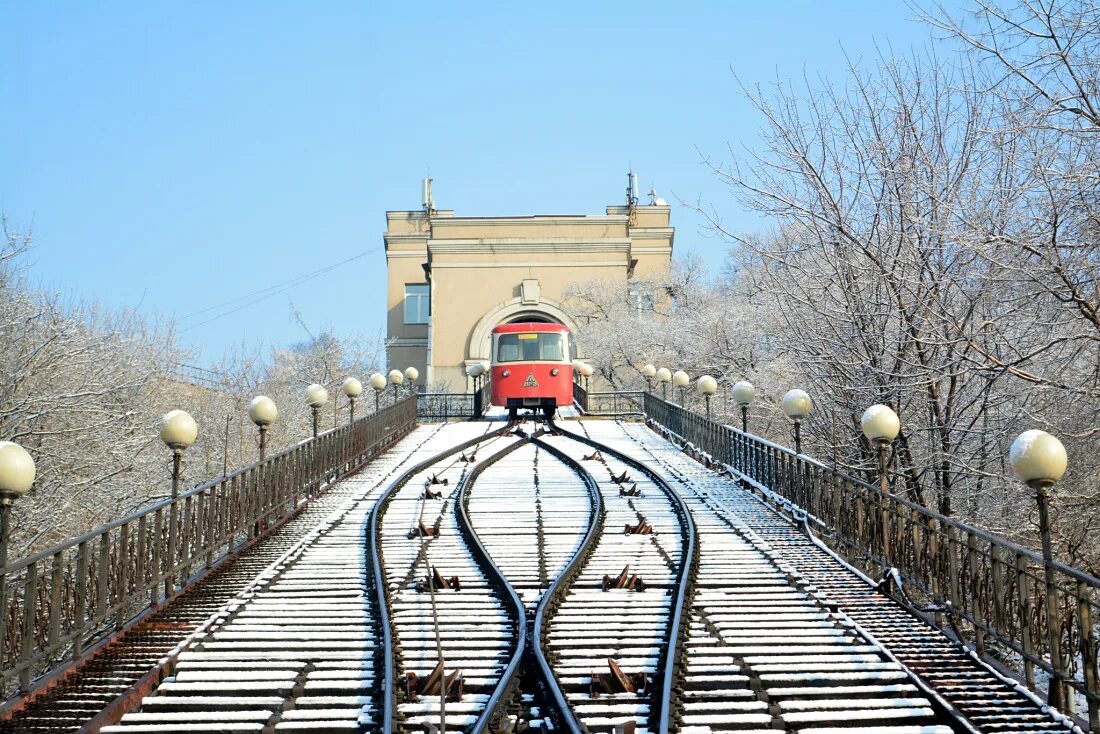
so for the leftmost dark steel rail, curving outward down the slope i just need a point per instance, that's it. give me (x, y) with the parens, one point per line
(382, 598)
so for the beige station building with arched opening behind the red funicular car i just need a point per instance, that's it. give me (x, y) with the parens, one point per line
(452, 280)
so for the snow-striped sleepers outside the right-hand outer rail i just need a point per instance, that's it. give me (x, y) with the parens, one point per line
(765, 650)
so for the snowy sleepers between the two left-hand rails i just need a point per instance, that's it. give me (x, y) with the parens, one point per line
(475, 632)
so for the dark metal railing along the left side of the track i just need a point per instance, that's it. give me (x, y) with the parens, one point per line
(58, 605)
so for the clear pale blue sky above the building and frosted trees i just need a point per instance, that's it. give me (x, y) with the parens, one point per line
(173, 157)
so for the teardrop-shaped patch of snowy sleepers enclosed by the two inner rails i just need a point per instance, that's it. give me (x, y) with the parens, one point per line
(531, 512)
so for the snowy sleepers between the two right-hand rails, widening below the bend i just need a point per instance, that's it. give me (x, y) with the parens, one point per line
(630, 627)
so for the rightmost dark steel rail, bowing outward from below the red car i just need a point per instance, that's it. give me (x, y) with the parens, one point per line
(688, 557)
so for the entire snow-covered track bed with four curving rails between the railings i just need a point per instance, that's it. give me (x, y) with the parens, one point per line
(545, 579)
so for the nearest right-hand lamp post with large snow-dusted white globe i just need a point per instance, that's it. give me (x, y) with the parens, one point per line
(1040, 461)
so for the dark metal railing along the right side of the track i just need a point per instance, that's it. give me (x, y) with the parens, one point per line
(981, 587)
